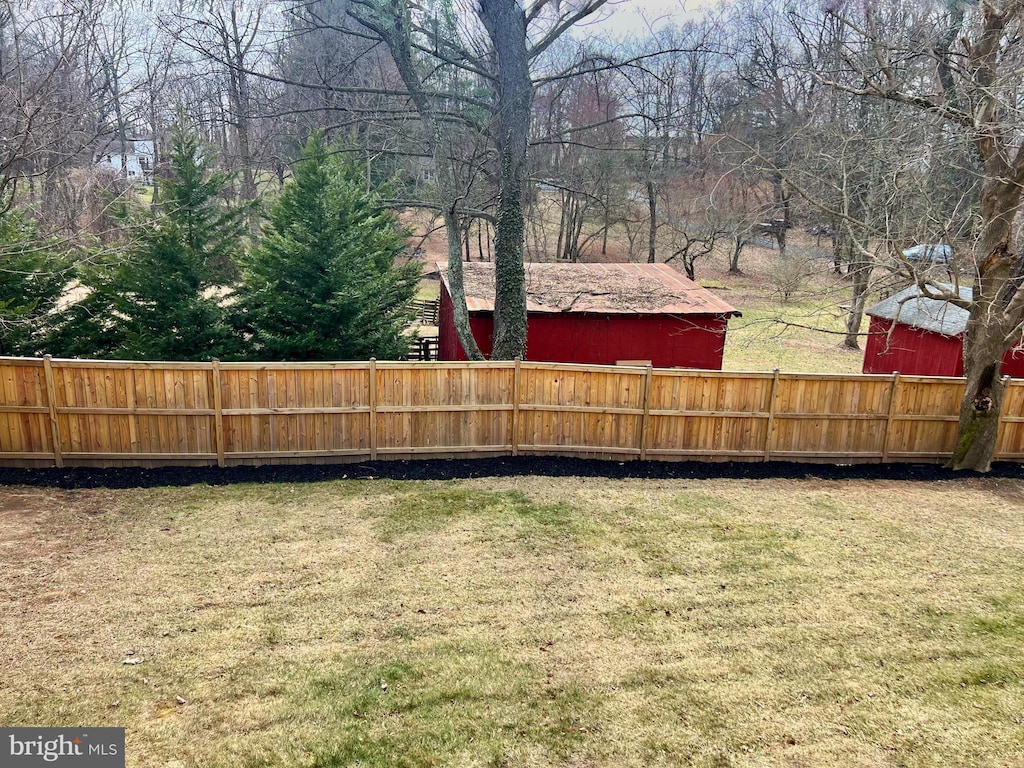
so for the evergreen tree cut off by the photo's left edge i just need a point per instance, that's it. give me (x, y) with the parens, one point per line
(32, 277)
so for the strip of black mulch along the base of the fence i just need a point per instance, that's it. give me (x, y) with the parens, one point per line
(444, 470)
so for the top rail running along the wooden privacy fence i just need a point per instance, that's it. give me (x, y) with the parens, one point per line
(496, 365)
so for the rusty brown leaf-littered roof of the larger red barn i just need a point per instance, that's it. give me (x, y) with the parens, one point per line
(613, 289)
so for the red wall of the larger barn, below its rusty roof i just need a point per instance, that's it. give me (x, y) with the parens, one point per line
(668, 342)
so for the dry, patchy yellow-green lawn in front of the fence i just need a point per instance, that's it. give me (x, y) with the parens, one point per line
(524, 622)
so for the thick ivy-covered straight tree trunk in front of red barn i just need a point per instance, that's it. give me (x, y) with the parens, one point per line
(506, 26)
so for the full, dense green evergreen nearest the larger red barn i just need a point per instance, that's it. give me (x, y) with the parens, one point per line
(323, 283)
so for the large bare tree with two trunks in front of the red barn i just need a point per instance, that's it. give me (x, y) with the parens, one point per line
(490, 55)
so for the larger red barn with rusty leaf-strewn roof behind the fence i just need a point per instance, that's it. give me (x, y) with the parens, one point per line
(599, 314)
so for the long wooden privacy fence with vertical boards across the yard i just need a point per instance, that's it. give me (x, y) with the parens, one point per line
(149, 414)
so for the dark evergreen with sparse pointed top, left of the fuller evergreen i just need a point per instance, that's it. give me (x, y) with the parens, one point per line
(160, 298)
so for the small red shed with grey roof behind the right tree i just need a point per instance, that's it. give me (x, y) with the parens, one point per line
(919, 336)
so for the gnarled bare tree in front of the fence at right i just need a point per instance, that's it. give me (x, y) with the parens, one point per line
(960, 66)
